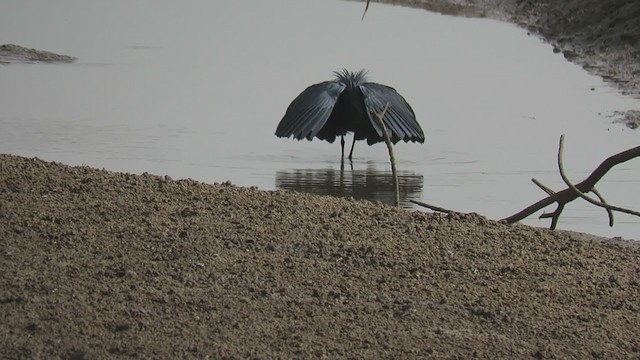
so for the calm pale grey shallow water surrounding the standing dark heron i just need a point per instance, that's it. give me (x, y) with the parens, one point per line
(197, 89)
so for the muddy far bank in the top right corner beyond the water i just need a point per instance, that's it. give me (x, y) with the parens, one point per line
(601, 36)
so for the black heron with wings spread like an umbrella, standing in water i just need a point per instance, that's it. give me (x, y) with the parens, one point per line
(349, 104)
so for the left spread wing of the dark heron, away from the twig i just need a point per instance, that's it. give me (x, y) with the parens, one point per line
(308, 112)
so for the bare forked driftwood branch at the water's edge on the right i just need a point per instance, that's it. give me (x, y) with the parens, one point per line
(574, 191)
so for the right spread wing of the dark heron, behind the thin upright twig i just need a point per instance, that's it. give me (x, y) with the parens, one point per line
(399, 119)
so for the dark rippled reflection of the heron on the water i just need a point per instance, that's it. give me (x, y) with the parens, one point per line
(370, 183)
